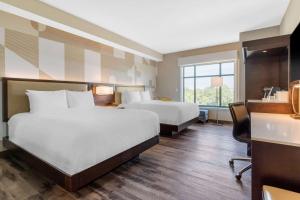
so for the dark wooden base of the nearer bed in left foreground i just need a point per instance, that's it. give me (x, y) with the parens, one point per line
(76, 181)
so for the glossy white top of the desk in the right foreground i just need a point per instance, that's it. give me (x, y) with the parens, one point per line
(275, 128)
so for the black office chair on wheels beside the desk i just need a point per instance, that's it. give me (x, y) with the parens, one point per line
(241, 132)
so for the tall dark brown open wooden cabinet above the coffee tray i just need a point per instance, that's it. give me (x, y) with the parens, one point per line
(266, 65)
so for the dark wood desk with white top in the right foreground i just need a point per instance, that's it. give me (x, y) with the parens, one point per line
(275, 152)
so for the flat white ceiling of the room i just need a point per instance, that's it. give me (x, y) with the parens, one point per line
(175, 25)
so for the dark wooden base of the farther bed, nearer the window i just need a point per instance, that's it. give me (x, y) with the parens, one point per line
(172, 130)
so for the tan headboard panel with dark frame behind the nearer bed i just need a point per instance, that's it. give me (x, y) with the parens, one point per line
(14, 98)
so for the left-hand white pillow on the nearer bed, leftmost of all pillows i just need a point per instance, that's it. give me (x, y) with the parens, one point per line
(45, 102)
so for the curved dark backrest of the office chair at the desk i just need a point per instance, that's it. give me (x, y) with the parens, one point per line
(241, 120)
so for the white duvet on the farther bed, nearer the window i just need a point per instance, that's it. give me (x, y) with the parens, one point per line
(173, 113)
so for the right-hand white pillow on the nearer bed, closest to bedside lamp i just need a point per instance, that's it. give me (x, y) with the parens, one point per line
(80, 99)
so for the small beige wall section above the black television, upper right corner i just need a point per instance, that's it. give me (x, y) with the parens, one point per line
(291, 18)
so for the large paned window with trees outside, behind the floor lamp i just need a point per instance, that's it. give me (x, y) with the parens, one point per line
(197, 84)
